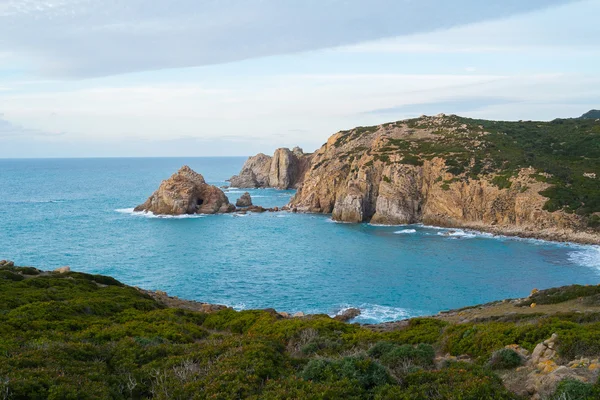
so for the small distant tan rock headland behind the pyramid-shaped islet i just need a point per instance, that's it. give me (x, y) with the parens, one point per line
(285, 170)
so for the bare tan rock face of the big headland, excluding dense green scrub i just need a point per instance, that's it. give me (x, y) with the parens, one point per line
(383, 175)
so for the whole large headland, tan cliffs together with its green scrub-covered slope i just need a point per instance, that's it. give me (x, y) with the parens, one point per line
(455, 171)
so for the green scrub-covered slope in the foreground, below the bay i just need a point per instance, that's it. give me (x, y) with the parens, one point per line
(86, 336)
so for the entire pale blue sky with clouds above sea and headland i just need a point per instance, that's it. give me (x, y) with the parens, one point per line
(136, 78)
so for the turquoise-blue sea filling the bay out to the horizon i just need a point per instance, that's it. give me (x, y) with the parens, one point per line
(78, 213)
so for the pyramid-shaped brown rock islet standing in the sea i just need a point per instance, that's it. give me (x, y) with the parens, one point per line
(186, 192)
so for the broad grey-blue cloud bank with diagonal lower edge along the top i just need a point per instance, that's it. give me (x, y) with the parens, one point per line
(89, 38)
